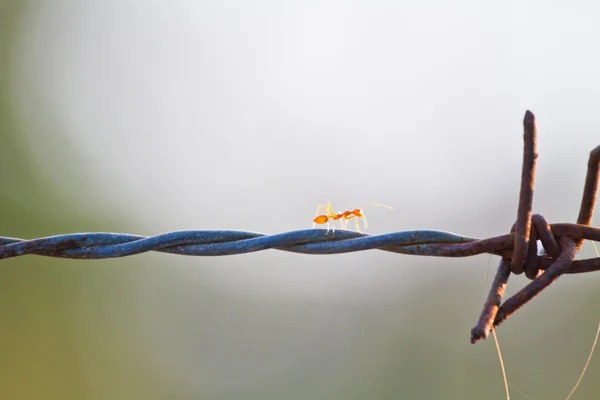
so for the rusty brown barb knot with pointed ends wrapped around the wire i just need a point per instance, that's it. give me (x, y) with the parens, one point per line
(555, 259)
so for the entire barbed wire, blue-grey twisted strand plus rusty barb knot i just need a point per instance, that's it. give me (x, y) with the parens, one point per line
(518, 250)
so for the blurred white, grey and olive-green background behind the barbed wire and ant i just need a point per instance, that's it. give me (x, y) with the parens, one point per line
(146, 117)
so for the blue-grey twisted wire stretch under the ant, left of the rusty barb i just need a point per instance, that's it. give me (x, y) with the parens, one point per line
(221, 243)
